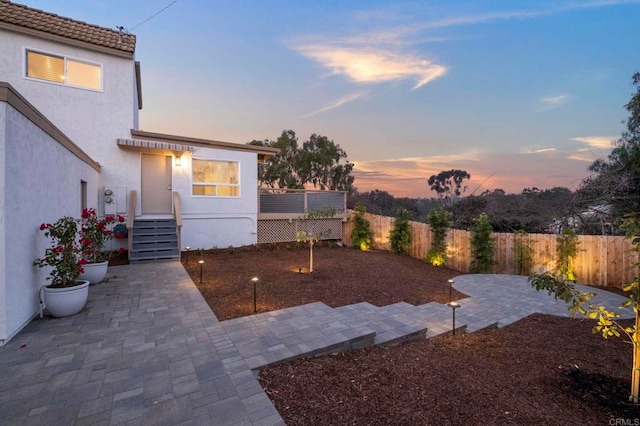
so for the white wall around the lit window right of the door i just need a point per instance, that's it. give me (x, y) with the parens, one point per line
(218, 221)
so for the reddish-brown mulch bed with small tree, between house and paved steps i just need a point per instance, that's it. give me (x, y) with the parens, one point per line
(341, 276)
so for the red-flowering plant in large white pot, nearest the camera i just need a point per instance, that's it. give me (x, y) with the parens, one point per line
(66, 294)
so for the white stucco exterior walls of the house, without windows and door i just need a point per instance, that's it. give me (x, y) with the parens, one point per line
(40, 176)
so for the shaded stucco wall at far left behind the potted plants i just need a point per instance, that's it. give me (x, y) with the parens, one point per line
(41, 182)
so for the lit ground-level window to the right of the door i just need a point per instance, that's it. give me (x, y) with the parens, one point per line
(215, 178)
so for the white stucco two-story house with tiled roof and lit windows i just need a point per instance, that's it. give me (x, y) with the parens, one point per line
(70, 93)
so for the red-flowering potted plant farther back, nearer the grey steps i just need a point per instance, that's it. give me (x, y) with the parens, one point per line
(94, 234)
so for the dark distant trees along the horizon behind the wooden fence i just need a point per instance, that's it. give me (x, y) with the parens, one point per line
(599, 206)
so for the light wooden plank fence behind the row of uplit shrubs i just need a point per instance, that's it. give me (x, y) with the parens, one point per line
(601, 260)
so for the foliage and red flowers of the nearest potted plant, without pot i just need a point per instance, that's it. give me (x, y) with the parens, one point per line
(64, 255)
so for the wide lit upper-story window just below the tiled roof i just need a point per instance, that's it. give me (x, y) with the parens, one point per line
(63, 70)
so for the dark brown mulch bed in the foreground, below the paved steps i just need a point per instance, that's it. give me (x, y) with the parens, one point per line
(518, 375)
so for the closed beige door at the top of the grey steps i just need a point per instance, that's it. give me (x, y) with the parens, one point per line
(155, 195)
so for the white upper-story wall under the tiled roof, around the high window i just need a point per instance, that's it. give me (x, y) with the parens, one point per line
(93, 120)
